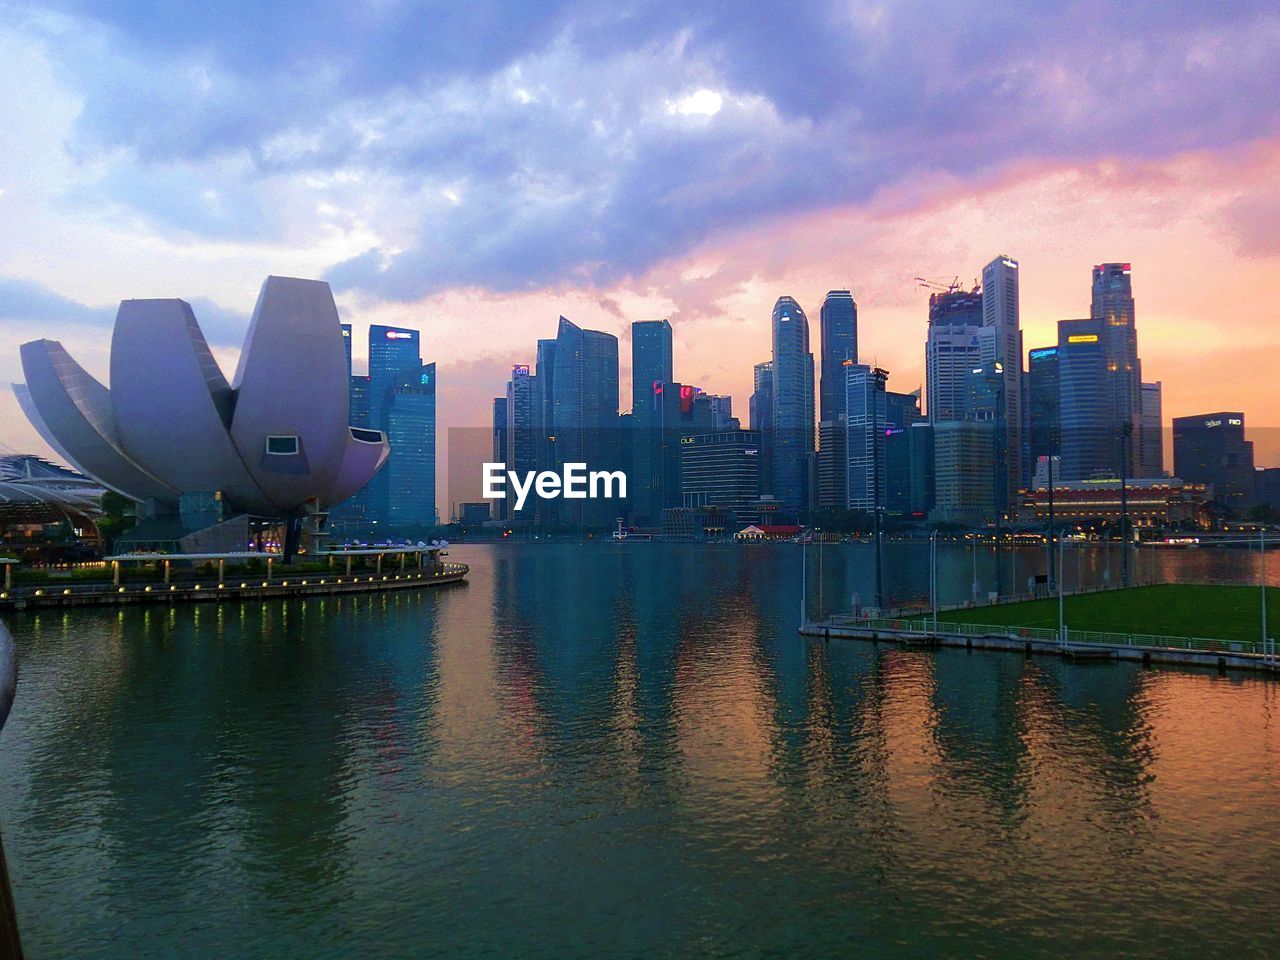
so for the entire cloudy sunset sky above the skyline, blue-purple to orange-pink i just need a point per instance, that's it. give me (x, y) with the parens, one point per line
(478, 170)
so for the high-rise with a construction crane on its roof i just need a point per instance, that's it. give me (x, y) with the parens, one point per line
(954, 348)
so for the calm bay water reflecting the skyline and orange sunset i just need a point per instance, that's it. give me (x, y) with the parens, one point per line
(598, 751)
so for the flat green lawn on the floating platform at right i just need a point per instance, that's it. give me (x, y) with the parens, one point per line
(1173, 610)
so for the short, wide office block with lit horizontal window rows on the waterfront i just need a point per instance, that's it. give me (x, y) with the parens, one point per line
(723, 470)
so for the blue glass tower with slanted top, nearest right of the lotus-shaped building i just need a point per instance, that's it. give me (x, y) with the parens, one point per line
(410, 415)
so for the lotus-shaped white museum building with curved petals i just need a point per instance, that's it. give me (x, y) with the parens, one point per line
(275, 444)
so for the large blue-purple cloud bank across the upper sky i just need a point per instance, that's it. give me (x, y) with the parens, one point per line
(516, 145)
